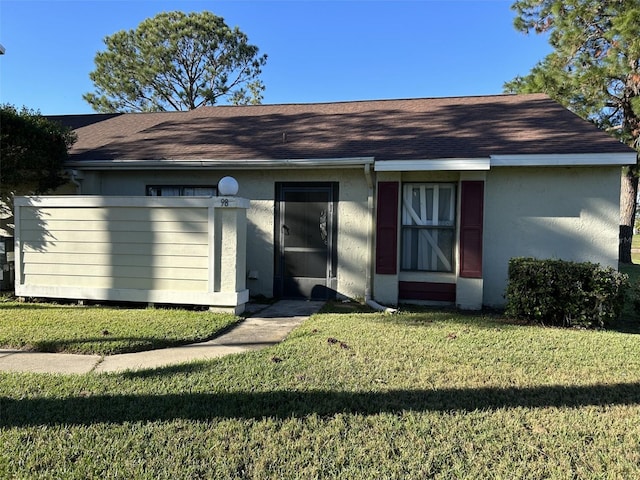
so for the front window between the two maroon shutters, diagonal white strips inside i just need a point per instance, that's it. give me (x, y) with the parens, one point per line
(419, 221)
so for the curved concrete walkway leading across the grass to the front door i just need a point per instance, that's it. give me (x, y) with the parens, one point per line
(268, 327)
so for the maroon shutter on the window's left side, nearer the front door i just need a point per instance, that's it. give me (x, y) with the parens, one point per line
(386, 228)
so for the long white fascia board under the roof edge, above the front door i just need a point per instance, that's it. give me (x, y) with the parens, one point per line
(220, 164)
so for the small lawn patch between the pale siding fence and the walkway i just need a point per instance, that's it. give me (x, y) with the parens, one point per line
(104, 331)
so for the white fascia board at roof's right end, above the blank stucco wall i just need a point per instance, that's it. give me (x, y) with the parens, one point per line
(564, 160)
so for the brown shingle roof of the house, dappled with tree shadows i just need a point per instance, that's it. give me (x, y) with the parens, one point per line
(462, 127)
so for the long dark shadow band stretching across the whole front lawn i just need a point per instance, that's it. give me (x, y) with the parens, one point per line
(287, 404)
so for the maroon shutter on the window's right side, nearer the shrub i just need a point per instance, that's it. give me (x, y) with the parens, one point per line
(472, 199)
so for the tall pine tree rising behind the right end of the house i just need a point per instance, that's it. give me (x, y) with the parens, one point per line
(594, 70)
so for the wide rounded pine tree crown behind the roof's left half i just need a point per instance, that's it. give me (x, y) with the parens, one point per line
(176, 61)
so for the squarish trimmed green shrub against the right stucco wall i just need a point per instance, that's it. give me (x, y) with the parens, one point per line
(562, 293)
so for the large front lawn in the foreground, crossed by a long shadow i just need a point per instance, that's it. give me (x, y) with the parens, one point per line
(350, 395)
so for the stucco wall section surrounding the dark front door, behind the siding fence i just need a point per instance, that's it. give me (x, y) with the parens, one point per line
(259, 188)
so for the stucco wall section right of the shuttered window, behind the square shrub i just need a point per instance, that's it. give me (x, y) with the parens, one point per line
(564, 213)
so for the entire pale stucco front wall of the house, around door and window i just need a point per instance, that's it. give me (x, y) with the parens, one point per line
(547, 212)
